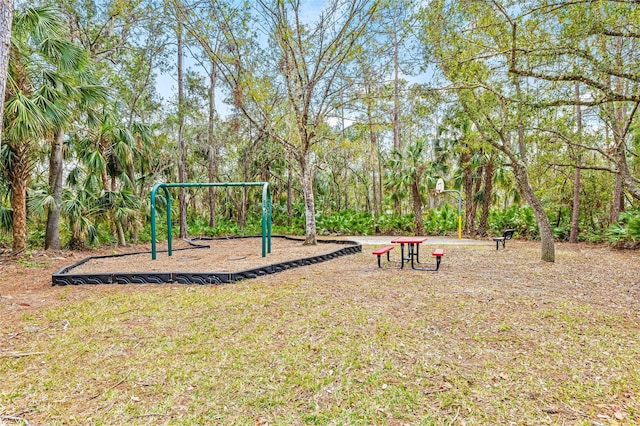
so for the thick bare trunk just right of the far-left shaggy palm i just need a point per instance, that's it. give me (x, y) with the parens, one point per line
(52, 235)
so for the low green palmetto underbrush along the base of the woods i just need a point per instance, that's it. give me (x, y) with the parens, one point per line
(440, 221)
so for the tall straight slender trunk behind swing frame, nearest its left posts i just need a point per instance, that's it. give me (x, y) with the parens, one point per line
(182, 145)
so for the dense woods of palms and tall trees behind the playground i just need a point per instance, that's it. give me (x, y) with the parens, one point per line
(351, 110)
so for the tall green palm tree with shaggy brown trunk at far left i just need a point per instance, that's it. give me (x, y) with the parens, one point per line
(41, 55)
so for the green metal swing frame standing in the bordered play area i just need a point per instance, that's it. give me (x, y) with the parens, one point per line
(266, 211)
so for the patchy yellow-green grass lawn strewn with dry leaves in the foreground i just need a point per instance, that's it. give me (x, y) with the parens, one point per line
(493, 338)
